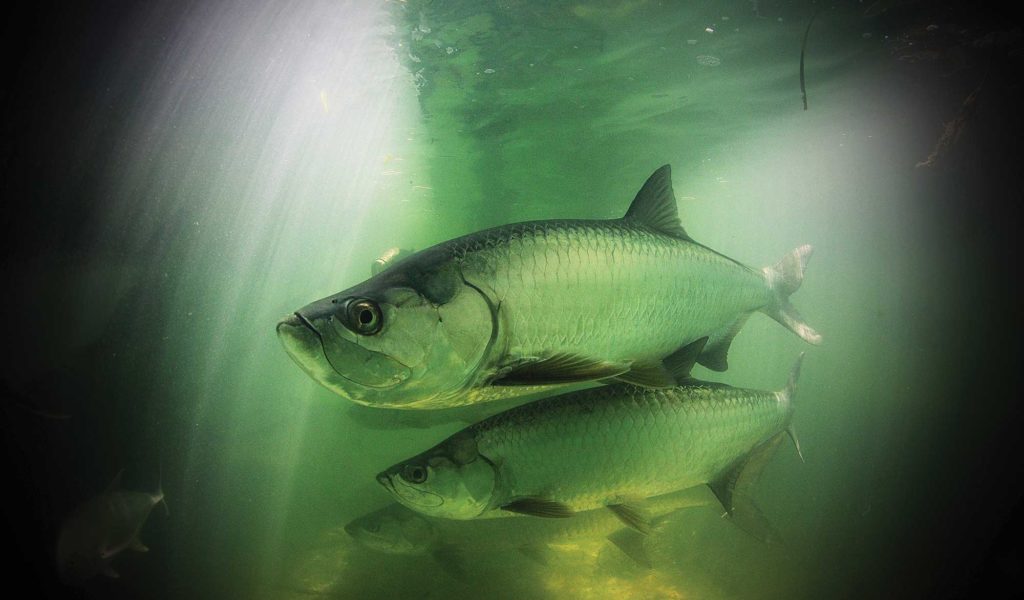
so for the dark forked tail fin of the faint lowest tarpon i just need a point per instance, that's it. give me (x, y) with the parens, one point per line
(735, 487)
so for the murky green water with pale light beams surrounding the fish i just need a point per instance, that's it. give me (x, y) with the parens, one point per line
(179, 177)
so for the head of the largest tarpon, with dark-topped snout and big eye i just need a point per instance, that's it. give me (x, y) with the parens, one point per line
(412, 336)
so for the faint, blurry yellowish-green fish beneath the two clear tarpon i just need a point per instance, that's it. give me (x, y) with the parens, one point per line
(397, 530)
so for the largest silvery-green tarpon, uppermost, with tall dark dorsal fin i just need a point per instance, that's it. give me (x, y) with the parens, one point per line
(531, 307)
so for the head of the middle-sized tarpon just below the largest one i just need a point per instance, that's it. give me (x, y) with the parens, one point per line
(452, 481)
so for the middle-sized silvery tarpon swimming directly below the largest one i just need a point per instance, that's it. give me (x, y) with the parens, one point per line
(606, 447)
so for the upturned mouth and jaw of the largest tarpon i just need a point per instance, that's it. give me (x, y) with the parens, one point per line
(336, 360)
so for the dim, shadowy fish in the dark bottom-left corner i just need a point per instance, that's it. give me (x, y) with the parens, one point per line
(101, 529)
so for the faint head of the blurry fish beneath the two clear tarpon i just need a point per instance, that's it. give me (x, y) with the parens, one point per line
(394, 530)
